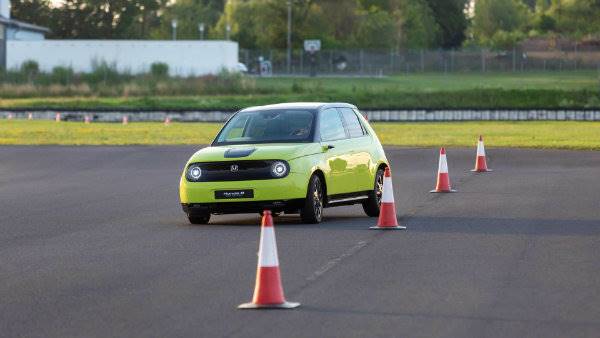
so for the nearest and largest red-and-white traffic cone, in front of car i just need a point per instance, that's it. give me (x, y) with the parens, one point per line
(268, 292)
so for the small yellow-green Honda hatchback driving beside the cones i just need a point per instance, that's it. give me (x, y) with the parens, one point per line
(290, 158)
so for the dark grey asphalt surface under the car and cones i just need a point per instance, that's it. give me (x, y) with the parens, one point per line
(93, 243)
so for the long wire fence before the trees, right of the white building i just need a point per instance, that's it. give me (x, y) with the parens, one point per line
(378, 62)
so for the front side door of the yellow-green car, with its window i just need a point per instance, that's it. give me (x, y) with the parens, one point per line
(337, 151)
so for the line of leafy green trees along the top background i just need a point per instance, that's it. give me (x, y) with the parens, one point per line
(262, 24)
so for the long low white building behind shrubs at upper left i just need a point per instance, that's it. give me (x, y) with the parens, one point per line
(20, 42)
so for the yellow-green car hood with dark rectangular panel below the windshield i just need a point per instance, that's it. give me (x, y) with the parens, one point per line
(255, 152)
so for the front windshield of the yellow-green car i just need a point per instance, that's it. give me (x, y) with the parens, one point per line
(268, 126)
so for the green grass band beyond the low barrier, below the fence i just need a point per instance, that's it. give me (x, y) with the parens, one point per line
(435, 91)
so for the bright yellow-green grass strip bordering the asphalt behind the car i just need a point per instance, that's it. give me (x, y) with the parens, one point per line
(557, 135)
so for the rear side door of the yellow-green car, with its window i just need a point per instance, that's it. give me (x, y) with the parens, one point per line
(360, 157)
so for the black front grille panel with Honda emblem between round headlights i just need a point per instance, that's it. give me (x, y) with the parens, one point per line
(224, 171)
